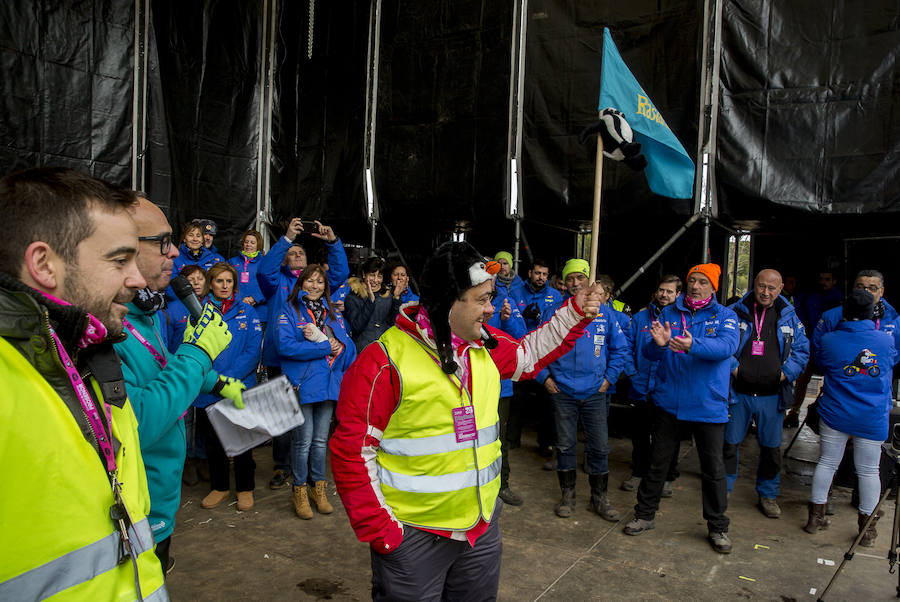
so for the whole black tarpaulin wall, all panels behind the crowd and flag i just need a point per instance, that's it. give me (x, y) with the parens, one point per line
(808, 112)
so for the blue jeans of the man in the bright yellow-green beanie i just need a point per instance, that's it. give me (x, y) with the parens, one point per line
(593, 412)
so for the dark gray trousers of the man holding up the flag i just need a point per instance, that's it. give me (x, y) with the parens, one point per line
(430, 567)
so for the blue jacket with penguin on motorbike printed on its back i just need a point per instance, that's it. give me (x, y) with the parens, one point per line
(857, 361)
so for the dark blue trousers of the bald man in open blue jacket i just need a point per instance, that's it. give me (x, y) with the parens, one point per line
(769, 419)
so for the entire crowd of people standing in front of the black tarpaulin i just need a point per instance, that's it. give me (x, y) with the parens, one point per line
(104, 363)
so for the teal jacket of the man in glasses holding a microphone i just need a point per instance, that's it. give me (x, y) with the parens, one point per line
(160, 396)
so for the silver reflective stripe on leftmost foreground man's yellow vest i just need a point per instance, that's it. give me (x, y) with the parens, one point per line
(77, 566)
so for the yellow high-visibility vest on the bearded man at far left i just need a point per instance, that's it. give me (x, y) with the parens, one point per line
(56, 535)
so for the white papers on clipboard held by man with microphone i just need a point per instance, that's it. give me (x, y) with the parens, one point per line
(270, 409)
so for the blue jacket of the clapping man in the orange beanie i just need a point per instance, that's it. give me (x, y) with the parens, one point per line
(694, 386)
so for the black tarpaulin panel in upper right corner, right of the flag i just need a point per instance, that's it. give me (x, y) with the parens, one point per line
(808, 116)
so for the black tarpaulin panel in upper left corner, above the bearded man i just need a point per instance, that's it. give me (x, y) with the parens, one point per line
(66, 80)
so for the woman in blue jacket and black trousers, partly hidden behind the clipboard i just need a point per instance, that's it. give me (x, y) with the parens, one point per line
(239, 360)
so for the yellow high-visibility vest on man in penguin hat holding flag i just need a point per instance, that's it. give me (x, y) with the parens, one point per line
(428, 478)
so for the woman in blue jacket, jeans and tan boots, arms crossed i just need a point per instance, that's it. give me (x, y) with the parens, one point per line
(314, 350)
